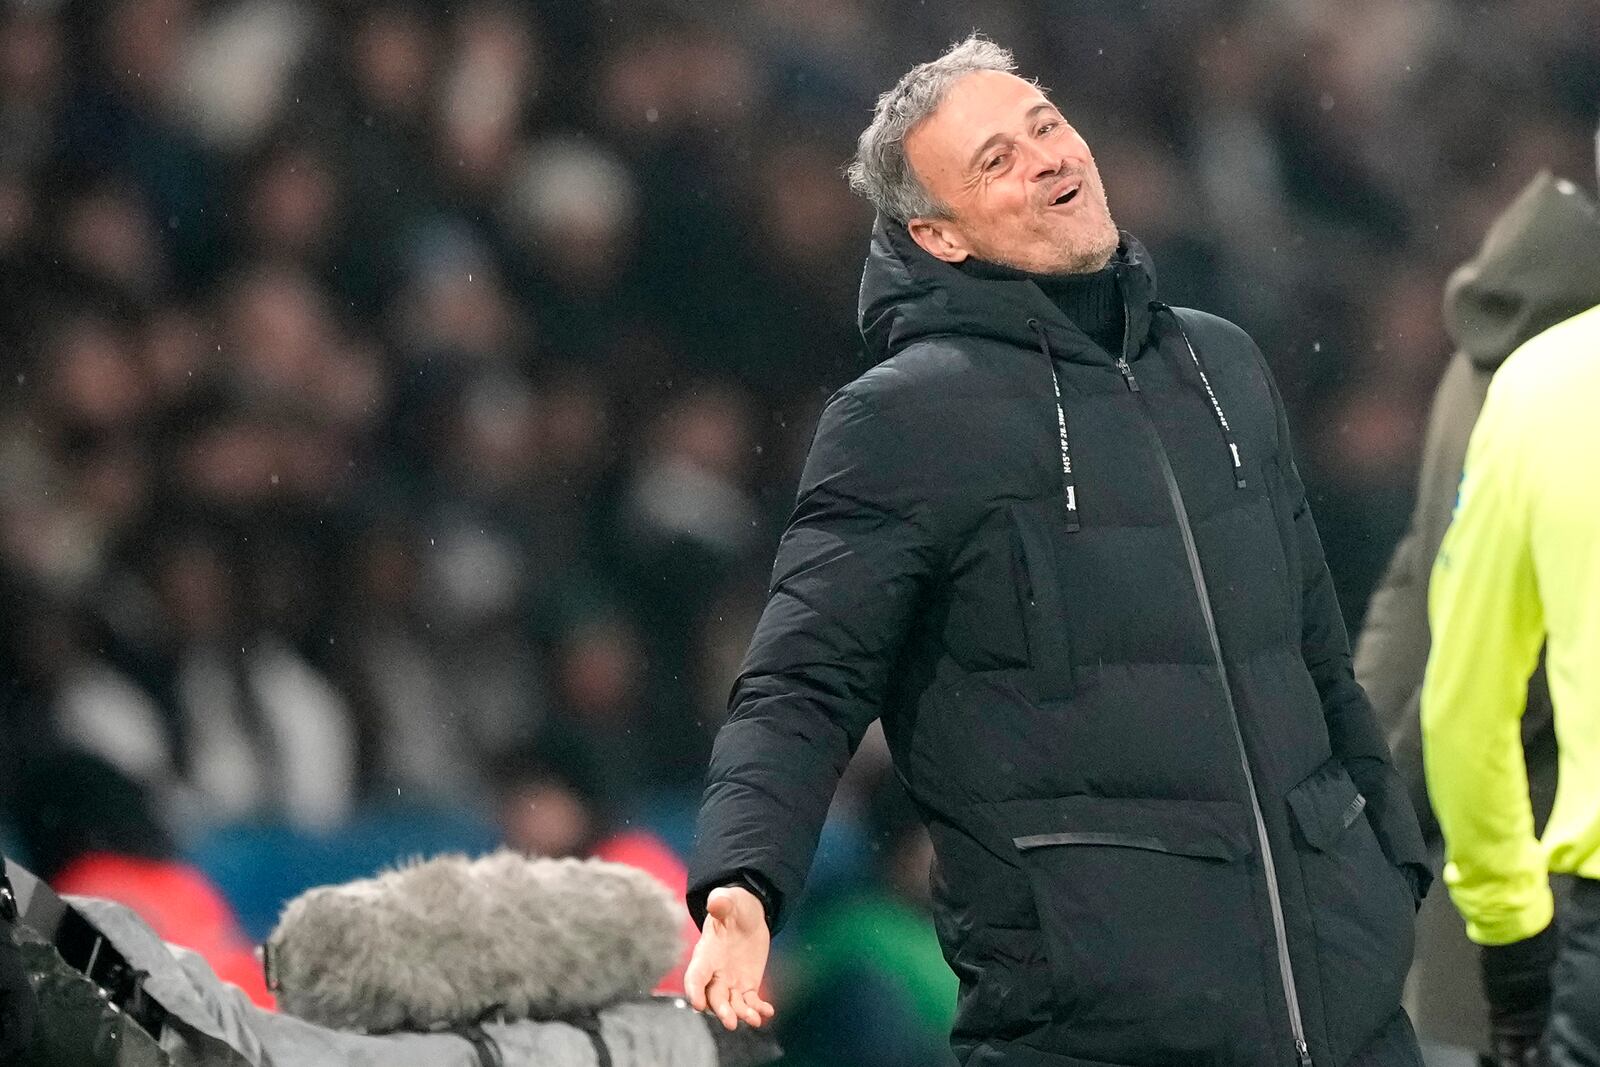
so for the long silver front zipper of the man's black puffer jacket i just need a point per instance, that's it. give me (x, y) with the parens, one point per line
(1281, 933)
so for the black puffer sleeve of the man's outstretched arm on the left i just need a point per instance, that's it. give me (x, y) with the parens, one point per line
(850, 570)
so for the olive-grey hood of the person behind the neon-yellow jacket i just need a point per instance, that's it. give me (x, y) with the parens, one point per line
(1540, 265)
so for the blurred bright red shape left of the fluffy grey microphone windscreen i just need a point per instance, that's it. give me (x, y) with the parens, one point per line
(180, 905)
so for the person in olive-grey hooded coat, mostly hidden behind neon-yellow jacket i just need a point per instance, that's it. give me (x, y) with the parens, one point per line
(1538, 266)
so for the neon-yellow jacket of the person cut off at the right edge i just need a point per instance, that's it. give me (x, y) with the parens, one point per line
(1521, 567)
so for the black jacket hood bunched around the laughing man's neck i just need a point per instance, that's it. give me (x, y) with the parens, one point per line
(908, 295)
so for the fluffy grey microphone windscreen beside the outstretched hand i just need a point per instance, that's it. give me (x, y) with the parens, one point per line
(449, 941)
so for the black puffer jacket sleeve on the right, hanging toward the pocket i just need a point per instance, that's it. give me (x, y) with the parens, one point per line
(1326, 647)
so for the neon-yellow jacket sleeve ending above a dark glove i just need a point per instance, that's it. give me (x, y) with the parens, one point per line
(1489, 626)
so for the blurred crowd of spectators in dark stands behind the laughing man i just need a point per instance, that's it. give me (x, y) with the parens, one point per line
(402, 399)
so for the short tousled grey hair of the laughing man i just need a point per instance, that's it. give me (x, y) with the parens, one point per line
(881, 172)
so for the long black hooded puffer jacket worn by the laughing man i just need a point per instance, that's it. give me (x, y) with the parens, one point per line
(1095, 618)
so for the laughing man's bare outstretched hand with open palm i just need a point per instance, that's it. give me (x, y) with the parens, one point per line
(730, 959)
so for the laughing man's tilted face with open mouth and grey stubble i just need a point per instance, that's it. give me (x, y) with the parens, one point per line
(1018, 182)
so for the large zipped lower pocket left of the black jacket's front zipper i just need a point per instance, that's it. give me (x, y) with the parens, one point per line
(1150, 922)
